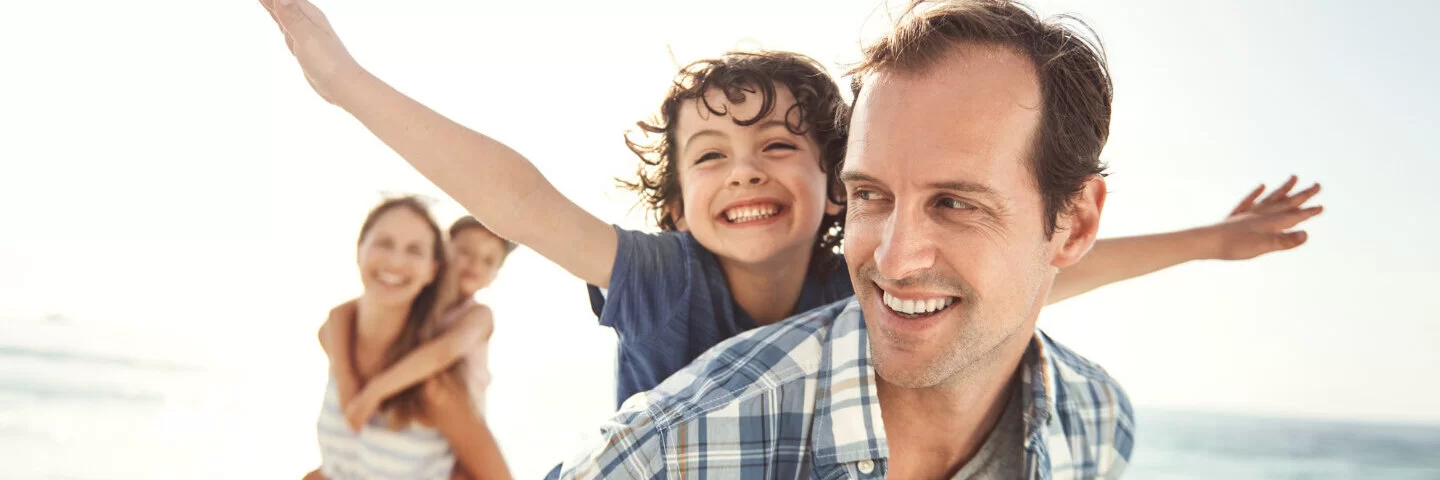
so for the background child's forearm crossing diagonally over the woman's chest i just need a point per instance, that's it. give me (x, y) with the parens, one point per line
(423, 364)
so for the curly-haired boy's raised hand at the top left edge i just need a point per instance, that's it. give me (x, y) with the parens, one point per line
(315, 44)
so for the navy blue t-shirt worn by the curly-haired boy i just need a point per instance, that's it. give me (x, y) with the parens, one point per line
(669, 303)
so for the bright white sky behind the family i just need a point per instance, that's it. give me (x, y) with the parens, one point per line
(171, 187)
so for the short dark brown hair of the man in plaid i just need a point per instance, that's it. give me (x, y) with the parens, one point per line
(1075, 81)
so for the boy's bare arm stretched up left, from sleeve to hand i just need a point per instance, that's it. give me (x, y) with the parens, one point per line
(493, 182)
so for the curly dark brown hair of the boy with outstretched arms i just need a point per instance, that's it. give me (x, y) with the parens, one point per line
(820, 112)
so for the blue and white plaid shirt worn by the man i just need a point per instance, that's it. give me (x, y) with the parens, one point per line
(798, 400)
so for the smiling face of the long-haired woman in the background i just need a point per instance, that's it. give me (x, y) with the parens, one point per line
(397, 257)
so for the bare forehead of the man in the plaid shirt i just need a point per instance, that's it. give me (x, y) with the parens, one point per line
(970, 120)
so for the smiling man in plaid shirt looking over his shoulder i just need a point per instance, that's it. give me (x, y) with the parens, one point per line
(973, 177)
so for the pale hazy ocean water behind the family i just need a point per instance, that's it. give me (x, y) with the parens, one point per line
(90, 416)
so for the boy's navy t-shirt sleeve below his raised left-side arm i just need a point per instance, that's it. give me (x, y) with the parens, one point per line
(647, 282)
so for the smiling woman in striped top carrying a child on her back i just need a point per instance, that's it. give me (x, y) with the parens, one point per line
(423, 430)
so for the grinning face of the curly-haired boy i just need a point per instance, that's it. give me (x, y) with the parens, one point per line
(752, 194)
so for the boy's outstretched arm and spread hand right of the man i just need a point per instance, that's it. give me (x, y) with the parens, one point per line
(1251, 231)
